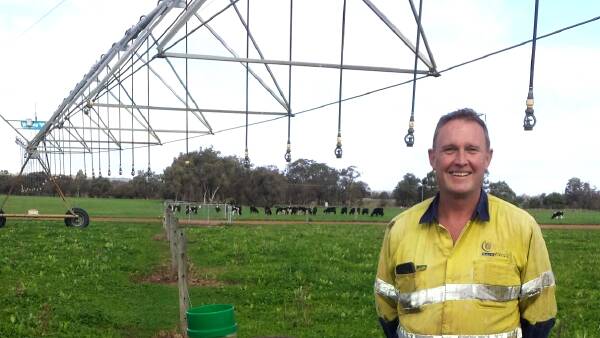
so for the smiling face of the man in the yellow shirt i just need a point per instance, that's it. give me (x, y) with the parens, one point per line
(460, 158)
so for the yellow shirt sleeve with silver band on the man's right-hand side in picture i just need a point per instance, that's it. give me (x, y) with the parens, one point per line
(537, 300)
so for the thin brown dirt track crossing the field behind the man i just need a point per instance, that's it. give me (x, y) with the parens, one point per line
(258, 222)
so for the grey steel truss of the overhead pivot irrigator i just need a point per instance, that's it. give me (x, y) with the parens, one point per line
(127, 99)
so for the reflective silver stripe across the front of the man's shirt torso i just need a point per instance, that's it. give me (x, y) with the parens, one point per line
(447, 292)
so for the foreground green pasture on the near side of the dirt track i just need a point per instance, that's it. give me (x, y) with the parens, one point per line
(301, 280)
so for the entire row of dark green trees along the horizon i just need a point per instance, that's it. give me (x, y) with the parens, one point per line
(207, 176)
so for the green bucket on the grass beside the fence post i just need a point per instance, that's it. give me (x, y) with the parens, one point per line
(211, 321)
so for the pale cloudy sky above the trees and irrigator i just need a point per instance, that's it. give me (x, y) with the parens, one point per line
(47, 46)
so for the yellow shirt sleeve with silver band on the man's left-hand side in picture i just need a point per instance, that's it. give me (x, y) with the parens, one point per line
(386, 297)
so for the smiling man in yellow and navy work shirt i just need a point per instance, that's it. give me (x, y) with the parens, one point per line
(465, 263)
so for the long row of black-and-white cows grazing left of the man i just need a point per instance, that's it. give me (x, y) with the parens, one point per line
(278, 210)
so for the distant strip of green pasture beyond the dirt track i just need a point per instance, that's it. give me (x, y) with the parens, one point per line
(111, 207)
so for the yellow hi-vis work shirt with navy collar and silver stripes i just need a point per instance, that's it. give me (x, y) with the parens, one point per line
(495, 281)
